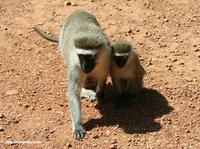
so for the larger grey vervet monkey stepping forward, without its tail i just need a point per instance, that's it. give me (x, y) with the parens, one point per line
(87, 54)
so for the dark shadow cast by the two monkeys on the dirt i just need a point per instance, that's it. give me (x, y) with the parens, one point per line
(138, 117)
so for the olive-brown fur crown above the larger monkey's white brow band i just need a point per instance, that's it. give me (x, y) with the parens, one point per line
(88, 43)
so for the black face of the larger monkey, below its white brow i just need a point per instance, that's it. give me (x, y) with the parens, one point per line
(87, 62)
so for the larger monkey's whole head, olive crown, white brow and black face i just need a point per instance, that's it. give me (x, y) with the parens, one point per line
(87, 51)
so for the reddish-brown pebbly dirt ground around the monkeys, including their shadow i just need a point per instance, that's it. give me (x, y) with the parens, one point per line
(33, 105)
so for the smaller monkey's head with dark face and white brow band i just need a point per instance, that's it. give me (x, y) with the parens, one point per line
(120, 52)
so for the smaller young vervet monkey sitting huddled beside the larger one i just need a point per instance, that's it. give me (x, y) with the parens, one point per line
(126, 72)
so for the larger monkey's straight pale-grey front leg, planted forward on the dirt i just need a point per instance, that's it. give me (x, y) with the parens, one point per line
(75, 105)
